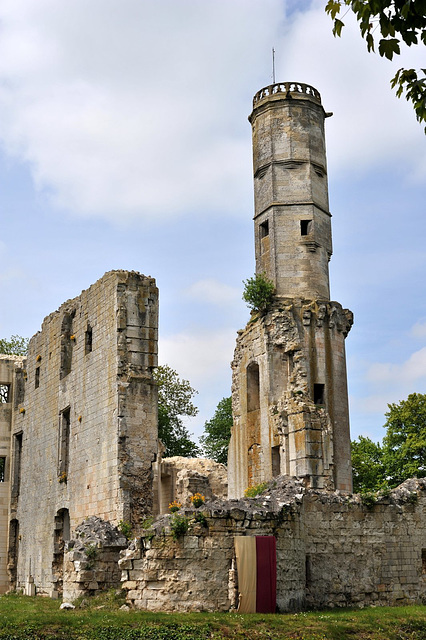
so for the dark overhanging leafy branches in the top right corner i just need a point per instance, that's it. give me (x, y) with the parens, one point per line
(390, 22)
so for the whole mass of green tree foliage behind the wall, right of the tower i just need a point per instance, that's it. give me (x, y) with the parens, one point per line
(403, 452)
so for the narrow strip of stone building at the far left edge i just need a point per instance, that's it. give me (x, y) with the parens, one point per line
(8, 364)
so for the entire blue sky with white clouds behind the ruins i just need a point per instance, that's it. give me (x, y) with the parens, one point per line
(124, 144)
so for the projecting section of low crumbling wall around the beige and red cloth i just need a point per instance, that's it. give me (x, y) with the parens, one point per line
(196, 571)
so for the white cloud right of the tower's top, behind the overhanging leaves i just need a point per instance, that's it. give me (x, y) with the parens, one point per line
(370, 126)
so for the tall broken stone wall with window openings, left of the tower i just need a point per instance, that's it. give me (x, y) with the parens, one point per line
(85, 433)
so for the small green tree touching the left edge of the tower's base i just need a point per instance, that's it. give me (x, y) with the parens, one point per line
(217, 432)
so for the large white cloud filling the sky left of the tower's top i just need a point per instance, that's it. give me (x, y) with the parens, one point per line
(133, 109)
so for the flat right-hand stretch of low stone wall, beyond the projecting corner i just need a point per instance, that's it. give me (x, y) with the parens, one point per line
(366, 554)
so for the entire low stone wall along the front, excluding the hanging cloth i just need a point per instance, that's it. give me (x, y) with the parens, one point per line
(332, 550)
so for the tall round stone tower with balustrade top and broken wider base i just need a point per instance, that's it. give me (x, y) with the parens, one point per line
(290, 400)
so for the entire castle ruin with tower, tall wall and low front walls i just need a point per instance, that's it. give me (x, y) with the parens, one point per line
(79, 449)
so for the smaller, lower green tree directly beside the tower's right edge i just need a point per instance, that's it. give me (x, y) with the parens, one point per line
(367, 465)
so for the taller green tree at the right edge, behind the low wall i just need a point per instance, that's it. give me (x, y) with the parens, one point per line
(404, 445)
